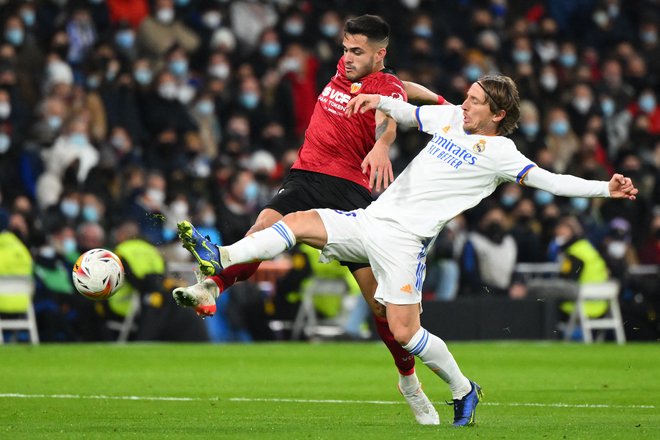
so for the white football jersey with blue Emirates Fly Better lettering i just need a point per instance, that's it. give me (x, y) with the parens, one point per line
(453, 173)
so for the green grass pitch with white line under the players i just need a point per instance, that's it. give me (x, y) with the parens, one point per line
(532, 390)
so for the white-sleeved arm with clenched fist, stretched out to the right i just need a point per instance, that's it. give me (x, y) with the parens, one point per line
(619, 186)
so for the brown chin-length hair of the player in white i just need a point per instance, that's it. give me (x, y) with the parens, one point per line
(502, 94)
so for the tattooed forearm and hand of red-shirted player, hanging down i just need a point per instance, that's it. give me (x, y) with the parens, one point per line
(377, 163)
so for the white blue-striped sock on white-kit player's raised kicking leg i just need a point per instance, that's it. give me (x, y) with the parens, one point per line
(262, 245)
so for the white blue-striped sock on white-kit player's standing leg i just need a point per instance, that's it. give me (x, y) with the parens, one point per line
(435, 355)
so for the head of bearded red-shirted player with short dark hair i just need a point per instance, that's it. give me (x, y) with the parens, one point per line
(365, 45)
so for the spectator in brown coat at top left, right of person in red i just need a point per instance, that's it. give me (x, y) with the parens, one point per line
(161, 30)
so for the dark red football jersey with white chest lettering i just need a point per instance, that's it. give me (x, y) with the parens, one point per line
(337, 145)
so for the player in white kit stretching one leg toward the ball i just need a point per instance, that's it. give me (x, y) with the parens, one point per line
(464, 162)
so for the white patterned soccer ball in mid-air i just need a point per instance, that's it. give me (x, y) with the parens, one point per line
(98, 274)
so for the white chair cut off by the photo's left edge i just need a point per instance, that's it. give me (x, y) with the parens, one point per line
(23, 319)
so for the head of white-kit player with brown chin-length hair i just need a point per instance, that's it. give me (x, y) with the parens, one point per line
(492, 106)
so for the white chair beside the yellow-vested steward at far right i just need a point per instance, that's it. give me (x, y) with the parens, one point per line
(606, 291)
